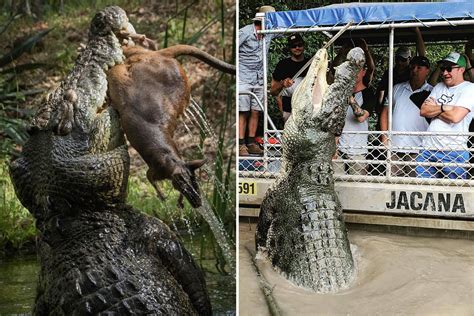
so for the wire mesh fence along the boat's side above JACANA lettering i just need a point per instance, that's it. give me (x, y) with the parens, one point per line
(382, 157)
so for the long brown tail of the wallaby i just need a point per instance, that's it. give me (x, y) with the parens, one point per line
(179, 50)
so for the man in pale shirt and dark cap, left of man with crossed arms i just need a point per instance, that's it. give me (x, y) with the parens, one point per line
(406, 117)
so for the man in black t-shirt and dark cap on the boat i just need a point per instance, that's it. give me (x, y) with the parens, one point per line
(284, 72)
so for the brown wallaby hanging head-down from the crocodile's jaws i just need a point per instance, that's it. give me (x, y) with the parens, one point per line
(150, 90)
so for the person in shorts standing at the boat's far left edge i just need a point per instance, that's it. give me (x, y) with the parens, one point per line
(251, 79)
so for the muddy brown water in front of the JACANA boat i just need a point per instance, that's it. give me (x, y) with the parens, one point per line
(396, 275)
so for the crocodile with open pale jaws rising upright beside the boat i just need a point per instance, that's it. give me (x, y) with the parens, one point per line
(300, 228)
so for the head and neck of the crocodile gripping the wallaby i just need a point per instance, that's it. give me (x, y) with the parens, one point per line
(76, 156)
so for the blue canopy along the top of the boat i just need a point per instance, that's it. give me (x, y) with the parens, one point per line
(370, 13)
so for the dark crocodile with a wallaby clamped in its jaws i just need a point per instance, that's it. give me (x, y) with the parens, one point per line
(97, 254)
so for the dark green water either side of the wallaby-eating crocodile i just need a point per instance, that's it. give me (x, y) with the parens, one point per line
(18, 277)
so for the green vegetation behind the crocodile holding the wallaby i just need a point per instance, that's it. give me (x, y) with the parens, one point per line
(38, 49)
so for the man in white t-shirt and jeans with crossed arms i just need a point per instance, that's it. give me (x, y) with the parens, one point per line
(450, 107)
